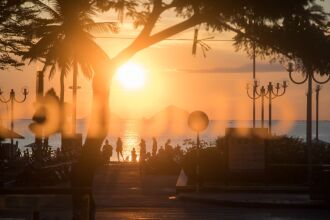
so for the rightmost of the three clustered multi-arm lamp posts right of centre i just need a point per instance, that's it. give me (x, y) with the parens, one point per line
(272, 94)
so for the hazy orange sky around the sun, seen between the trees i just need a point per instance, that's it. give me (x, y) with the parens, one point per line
(215, 84)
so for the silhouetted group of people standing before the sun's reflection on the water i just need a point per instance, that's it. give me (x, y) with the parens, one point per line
(107, 151)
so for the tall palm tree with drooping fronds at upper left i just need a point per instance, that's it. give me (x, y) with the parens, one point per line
(64, 40)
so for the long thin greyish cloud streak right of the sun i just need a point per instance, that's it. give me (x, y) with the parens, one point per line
(246, 68)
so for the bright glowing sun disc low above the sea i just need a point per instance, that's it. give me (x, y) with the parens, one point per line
(131, 76)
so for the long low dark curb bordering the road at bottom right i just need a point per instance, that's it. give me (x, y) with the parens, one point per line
(257, 204)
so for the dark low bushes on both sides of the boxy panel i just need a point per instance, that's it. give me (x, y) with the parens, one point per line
(286, 161)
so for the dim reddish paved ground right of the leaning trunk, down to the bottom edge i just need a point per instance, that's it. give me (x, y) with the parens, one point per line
(122, 193)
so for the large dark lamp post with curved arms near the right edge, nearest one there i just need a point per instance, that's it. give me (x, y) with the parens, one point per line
(309, 78)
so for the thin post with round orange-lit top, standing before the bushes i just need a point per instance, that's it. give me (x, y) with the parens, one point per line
(198, 122)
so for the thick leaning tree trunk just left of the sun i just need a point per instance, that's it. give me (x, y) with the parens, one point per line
(84, 170)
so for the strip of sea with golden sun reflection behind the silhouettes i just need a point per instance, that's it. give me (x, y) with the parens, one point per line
(130, 131)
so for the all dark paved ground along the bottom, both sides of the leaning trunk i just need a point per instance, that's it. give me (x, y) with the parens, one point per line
(120, 192)
